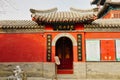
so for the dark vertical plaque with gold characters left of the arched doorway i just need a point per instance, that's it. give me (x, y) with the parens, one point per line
(49, 50)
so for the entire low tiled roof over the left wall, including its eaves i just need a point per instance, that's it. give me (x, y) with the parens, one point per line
(20, 26)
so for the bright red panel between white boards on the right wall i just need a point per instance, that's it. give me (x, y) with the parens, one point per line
(107, 50)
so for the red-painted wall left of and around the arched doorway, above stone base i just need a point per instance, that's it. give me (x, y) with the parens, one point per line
(31, 47)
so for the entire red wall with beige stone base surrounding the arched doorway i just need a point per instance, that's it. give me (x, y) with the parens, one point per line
(16, 49)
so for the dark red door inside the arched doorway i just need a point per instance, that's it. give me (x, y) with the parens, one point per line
(64, 50)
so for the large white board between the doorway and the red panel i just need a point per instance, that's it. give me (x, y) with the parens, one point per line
(92, 50)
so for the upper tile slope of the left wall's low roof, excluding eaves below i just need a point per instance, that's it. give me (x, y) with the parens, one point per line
(18, 24)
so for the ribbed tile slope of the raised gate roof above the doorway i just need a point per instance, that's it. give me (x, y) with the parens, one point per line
(65, 17)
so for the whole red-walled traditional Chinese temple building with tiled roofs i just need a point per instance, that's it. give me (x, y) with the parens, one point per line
(86, 42)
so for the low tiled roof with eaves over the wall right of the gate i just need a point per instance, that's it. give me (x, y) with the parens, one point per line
(104, 25)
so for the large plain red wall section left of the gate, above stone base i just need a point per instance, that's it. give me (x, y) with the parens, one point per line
(21, 48)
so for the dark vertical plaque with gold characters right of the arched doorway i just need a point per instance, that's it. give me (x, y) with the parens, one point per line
(79, 46)
